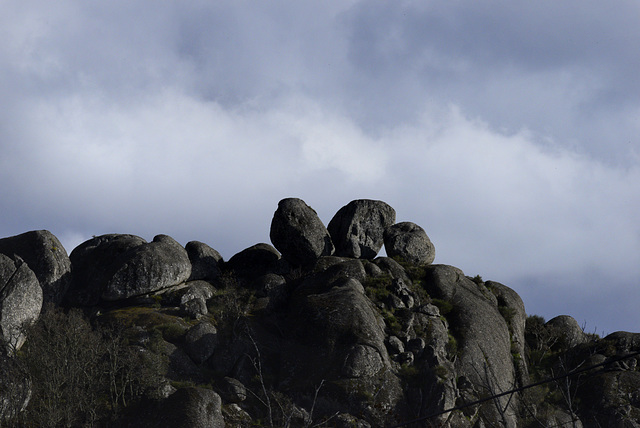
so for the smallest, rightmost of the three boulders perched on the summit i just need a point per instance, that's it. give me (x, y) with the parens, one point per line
(409, 241)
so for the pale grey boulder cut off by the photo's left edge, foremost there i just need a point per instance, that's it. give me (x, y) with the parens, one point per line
(20, 302)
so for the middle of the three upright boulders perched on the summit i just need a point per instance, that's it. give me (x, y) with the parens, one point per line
(357, 229)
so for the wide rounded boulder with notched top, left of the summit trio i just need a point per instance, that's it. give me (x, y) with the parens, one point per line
(115, 267)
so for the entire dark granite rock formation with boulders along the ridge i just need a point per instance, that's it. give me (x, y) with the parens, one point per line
(315, 330)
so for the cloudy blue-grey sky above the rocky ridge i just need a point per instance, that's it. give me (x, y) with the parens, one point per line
(510, 131)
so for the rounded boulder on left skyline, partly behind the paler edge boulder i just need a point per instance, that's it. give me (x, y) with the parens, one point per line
(46, 257)
